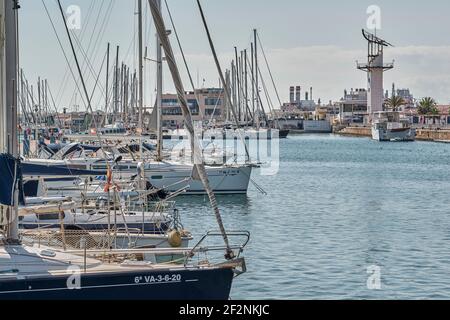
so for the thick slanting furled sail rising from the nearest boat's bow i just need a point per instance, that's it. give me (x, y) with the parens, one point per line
(199, 166)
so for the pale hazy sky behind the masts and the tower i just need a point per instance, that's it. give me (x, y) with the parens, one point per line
(308, 43)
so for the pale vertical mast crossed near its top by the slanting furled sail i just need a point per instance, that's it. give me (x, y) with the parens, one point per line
(159, 90)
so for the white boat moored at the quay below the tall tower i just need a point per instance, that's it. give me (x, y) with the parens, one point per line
(389, 126)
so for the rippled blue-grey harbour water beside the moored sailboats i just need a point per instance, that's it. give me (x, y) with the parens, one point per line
(338, 206)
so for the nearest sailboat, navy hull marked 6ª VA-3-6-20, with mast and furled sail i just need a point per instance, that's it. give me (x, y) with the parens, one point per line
(36, 272)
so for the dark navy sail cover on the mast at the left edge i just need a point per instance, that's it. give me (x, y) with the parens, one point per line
(10, 179)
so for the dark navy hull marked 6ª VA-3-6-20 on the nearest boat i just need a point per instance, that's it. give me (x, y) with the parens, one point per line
(197, 284)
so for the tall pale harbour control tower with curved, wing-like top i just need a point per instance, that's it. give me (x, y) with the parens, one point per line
(375, 68)
